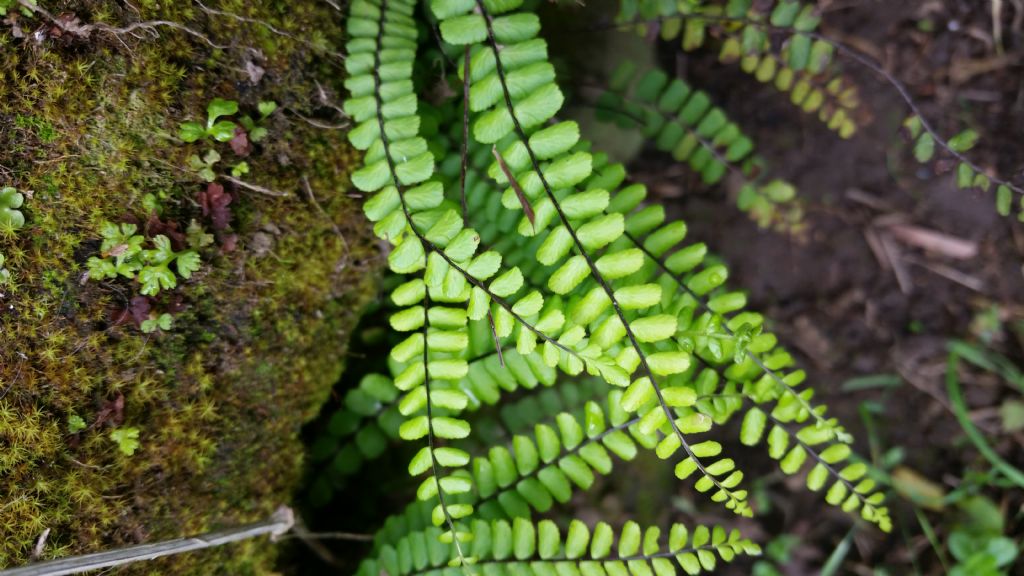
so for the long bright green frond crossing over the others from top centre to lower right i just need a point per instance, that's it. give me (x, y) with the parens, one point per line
(513, 98)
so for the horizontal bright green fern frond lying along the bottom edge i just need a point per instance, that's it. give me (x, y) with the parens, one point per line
(522, 547)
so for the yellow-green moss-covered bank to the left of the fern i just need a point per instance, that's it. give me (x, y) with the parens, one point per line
(88, 130)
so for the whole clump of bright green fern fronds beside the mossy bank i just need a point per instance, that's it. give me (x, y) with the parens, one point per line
(540, 258)
